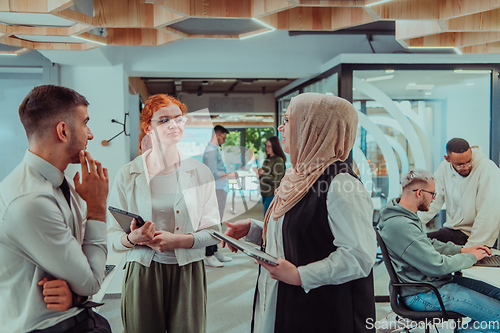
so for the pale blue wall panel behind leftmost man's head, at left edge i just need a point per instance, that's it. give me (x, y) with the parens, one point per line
(13, 88)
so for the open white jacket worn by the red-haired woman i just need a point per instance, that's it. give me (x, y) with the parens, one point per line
(195, 206)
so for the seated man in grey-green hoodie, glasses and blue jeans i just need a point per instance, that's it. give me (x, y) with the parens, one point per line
(419, 259)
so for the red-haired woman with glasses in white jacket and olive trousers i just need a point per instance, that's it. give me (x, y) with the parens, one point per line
(164, 287)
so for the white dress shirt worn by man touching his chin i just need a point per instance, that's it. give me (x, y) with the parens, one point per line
(41, 236)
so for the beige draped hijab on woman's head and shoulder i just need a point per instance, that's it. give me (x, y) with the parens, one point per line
(323, 131)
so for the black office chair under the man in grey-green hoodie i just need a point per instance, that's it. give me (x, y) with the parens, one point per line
(402, 310)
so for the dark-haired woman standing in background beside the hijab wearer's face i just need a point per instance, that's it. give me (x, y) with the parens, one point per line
(273, 169)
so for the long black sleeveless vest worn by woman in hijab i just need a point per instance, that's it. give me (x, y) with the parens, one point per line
(307, 238)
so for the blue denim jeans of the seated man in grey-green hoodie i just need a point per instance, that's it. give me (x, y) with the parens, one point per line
(474, 299)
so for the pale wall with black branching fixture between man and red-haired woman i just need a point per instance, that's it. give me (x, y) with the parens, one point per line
(106, 89)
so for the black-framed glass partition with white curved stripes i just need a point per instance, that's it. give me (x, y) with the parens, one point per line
(407, 113)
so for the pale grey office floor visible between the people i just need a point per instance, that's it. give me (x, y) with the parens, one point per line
(231, 288)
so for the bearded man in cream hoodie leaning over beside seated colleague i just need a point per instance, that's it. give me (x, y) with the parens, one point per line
(469, 183)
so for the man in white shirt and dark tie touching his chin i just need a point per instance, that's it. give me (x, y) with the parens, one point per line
(53, 231)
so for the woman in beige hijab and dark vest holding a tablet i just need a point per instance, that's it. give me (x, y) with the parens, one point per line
(319, 226)
